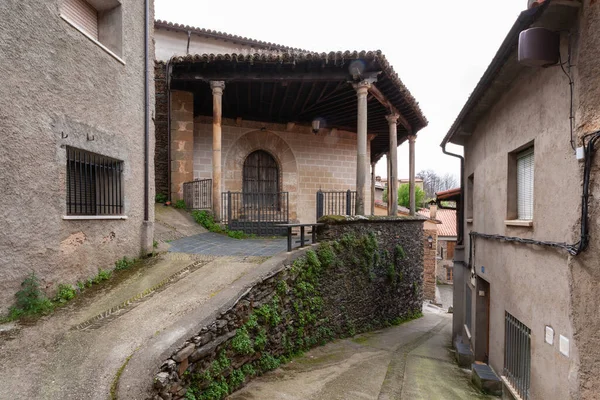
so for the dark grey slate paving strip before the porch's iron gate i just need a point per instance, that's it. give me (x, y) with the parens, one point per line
(215, 244)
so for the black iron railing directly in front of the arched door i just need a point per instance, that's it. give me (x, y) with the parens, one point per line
(256, 213)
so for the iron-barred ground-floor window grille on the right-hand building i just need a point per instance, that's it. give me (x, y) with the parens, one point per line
(517, 355)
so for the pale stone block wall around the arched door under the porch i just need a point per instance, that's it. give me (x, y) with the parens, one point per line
(307, 162)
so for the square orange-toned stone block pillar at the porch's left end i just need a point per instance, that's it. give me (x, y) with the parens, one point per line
(182, 142)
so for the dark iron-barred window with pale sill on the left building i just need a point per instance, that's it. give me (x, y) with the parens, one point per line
(94, 184)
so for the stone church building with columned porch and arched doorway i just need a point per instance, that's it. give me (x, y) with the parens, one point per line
(262, 128)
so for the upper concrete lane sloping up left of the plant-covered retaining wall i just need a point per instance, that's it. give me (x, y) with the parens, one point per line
(77, 352)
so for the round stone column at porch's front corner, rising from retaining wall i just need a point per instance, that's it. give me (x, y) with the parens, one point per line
(362, 89)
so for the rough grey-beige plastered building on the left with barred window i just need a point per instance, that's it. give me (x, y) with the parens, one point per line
(75, 136)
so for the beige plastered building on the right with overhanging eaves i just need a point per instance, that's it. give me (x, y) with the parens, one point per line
(526, 266)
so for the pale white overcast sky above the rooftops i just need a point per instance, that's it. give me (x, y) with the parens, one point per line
(439, 48)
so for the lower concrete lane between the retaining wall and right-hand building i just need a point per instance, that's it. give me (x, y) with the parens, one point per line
(411, 361)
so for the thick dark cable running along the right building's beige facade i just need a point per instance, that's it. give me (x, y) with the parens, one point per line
(572, 249)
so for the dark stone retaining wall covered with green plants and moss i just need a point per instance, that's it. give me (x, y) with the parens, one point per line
(365, 276)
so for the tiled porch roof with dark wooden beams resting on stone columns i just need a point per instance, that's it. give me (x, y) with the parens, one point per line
(299, 87)
